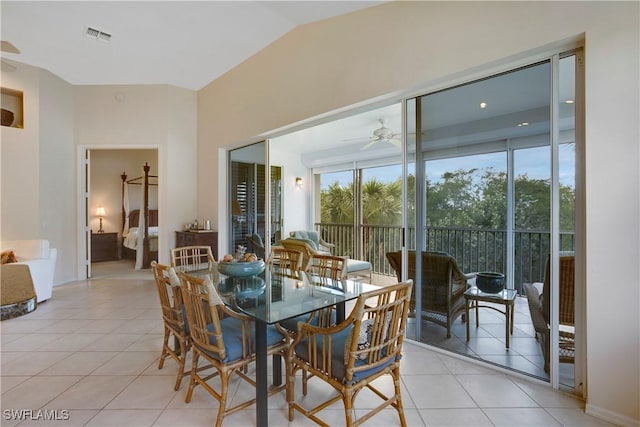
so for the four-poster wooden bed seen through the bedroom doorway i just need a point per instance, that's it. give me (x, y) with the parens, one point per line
(139, 225)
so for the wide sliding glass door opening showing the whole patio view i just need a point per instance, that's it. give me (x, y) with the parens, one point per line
(484, 175)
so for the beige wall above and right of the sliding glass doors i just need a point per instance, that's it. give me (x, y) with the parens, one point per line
(401, 46)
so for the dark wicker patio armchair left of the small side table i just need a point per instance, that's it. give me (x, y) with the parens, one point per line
(442, 284)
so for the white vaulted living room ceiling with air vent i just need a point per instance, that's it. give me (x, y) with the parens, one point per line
(185, 44)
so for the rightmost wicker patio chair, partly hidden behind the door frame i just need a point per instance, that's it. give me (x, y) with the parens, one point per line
(540, 308)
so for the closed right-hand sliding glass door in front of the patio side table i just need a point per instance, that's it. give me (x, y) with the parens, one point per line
(495, 190)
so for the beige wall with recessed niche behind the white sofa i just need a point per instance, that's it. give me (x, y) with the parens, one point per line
(37, 177)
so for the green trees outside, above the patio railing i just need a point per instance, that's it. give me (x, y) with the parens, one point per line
(463, 198)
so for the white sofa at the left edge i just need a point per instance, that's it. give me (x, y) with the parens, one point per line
(41, 260)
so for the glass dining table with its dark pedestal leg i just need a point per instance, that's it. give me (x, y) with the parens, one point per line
(279, 294)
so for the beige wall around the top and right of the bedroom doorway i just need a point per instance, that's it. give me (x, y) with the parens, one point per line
(147, 117)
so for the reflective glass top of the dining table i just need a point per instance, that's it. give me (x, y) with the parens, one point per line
(278, 294)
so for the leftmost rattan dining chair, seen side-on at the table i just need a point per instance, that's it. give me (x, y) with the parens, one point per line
(173, 318)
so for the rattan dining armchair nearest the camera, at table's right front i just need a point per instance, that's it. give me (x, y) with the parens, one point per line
(350, 356)
